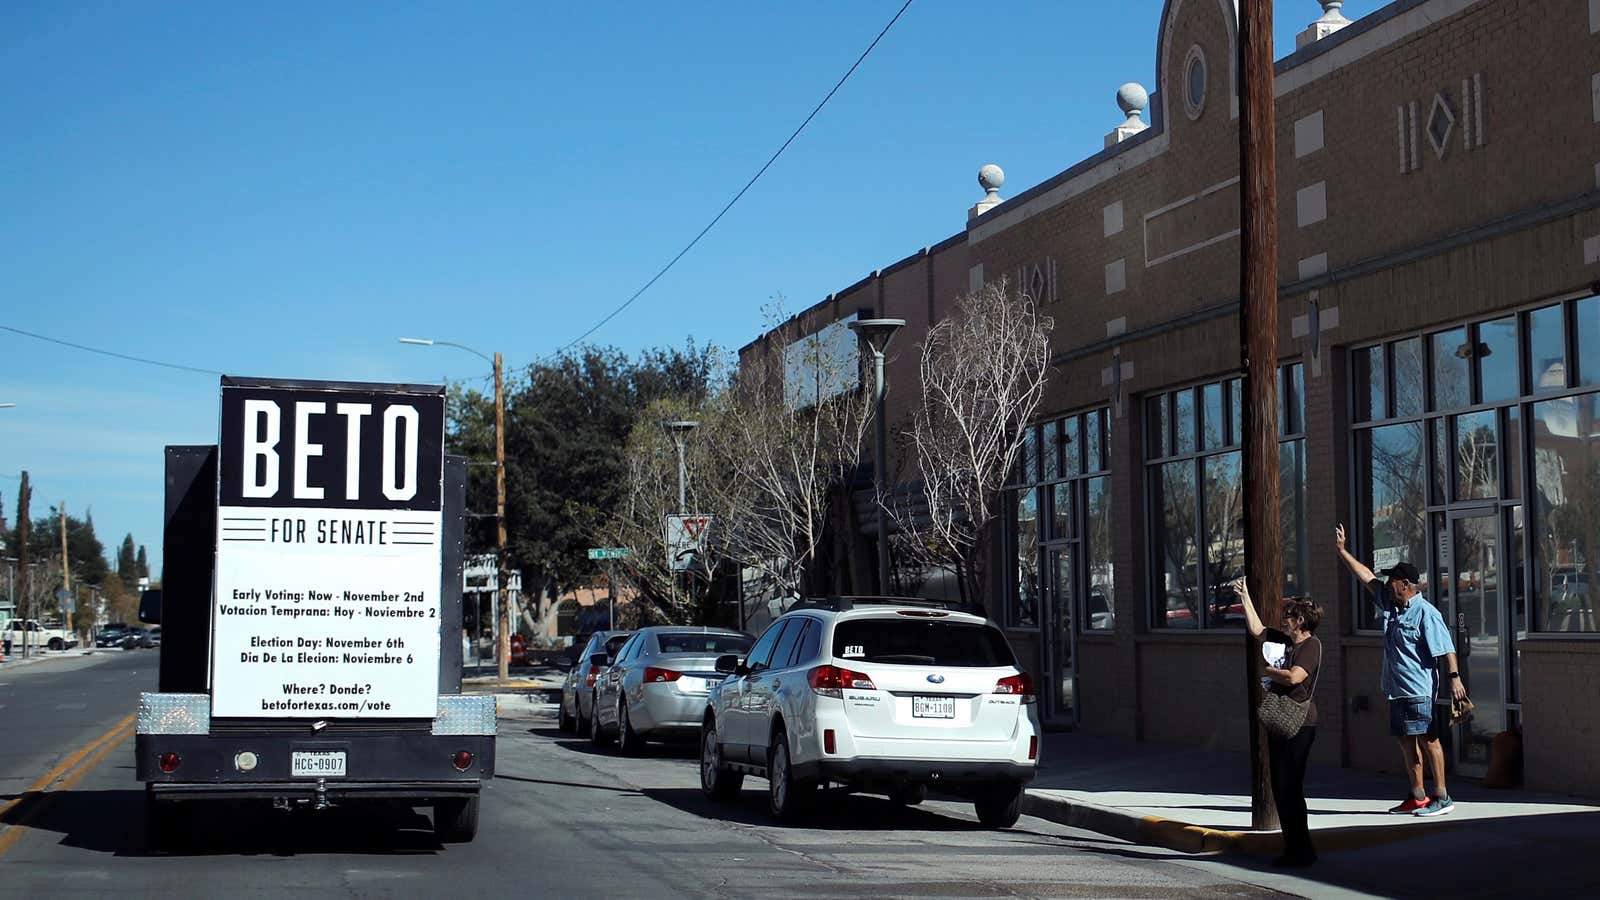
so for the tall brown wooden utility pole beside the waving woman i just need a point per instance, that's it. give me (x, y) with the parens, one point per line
(1258, 334)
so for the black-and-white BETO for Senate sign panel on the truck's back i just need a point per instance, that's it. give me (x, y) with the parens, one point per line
(329, 552)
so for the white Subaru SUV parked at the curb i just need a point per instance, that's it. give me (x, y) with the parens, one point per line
(879, 694)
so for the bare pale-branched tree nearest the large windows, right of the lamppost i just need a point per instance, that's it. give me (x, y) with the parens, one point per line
(983, 379)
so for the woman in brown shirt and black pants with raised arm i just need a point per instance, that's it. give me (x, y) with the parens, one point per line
(1298, 677)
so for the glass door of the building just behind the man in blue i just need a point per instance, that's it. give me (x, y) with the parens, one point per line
(1481, 632)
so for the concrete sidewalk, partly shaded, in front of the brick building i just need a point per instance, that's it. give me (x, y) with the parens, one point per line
(1198, 802)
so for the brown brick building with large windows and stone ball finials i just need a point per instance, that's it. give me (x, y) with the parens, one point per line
(1439, 219)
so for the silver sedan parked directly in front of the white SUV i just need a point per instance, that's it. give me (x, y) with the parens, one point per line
(657, 688)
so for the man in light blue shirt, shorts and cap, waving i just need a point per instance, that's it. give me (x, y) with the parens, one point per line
(1417, 649)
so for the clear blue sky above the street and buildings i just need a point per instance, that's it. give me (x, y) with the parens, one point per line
(284, 190)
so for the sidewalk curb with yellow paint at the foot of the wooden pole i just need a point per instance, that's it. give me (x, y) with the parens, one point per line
(1186, 838)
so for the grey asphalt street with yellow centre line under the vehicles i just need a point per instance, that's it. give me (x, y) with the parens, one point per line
(559, 821)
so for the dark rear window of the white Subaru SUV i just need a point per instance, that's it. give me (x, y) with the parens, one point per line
(922, 643)
